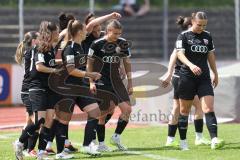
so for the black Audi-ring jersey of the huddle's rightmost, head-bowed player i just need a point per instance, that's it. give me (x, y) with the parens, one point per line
(110, 53)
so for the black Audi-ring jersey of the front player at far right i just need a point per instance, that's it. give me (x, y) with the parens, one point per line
(196, 48)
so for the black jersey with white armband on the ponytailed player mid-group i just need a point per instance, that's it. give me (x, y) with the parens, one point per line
(73, 54)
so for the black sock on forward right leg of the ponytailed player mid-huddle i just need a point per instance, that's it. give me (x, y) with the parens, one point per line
(89, 131)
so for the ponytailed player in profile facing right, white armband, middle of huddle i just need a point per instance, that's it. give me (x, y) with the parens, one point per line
(72, 55)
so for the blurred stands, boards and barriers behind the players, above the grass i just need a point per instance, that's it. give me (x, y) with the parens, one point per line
(152, 35)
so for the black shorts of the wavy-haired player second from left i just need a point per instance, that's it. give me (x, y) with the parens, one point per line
(43, 99)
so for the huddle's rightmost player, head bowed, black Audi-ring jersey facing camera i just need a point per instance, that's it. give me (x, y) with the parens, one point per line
(110, 50)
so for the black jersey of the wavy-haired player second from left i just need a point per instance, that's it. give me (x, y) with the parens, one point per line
(40, 79)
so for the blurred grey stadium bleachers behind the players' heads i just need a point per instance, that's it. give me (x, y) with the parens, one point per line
(150, 38)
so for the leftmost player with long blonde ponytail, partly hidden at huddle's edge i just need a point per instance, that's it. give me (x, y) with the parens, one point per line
(23, 57)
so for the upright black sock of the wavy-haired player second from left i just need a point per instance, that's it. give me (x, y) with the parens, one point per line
(43, 138)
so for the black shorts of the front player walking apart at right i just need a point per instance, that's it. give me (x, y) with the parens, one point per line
(189, 87)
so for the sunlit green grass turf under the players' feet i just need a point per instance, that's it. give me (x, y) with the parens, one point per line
(147, 143)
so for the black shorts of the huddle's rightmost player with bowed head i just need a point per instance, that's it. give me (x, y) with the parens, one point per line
(108, 93)
